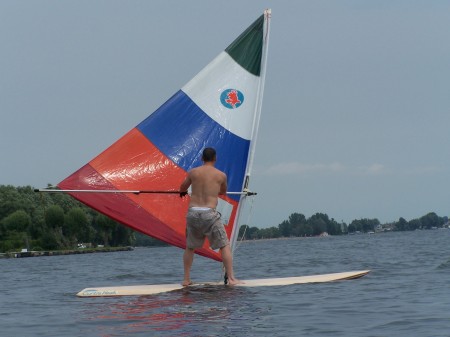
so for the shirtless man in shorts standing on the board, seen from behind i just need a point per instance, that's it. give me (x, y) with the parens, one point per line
(202, 218)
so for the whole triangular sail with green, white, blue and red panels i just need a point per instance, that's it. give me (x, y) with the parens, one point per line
(219, 108)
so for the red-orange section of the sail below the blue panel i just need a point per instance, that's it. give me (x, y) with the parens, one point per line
(134, 163)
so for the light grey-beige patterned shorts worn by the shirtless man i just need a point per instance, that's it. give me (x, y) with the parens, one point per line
(203, 223)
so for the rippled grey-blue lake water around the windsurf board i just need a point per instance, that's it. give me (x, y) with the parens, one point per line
(406, 294)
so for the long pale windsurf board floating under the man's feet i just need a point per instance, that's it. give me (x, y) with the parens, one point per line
(140, 290)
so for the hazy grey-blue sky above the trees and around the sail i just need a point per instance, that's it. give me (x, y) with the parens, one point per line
(355, 119)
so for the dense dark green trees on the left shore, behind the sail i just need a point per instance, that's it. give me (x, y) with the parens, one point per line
(56, 221)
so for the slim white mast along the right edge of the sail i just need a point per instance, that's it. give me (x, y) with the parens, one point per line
(255, 126)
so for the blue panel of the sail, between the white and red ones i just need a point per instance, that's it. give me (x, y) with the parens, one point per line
(181, 130)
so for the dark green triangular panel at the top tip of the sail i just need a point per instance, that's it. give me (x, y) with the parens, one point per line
(247, 48)
